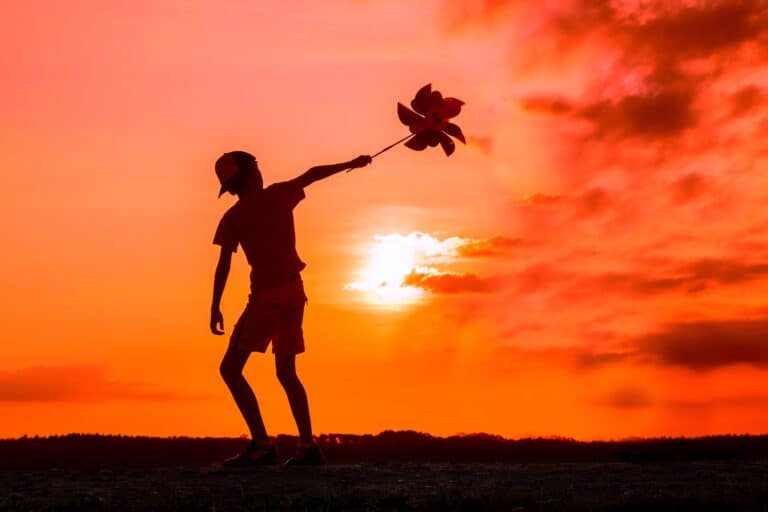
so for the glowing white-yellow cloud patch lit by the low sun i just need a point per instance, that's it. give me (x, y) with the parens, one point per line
(393, 257)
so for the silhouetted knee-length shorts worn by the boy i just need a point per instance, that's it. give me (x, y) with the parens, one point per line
(272, 314)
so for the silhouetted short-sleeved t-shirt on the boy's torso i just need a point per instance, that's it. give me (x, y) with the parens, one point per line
(263, 225)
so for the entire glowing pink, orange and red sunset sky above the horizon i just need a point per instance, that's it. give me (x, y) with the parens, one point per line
(593, 263)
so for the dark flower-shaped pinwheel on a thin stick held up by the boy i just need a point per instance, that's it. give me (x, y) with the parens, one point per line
(429, 122)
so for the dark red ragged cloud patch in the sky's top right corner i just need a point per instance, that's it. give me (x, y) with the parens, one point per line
(668, 56)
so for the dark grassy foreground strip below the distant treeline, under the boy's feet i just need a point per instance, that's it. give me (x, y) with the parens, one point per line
(691, 485)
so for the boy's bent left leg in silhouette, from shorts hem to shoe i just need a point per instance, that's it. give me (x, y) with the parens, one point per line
(232, 372)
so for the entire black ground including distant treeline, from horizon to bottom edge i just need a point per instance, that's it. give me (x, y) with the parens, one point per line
(668, 474)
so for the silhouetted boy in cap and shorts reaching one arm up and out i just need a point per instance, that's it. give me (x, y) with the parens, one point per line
(261, 222)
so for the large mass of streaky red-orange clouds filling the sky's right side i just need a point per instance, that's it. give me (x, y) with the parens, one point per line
(649, 217)
